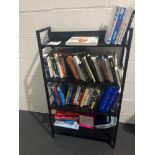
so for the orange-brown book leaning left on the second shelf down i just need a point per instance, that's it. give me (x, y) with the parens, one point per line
(72, 66)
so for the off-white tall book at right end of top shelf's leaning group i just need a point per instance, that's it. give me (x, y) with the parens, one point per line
(126, 22)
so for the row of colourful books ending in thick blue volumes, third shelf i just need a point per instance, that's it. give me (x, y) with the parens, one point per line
(81, 96)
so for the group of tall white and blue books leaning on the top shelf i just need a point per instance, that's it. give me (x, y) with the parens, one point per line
(122, 17)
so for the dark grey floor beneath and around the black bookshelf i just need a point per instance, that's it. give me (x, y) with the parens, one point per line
(35, 139)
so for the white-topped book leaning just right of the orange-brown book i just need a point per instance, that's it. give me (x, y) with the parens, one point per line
(77, 63)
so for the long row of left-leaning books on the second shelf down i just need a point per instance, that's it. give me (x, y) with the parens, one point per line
(86, 68)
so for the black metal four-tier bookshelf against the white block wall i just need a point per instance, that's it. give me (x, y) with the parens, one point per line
(107, 135)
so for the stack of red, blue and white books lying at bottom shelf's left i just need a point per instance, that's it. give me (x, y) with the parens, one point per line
(66, 120)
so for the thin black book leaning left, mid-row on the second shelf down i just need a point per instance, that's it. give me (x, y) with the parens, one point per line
(92, 67)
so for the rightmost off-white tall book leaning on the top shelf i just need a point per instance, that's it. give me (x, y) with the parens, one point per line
(125, 25)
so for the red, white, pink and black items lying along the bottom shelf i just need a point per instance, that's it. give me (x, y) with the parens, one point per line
(76, 120)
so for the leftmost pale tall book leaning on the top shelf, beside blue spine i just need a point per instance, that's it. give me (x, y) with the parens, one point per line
(113, 25)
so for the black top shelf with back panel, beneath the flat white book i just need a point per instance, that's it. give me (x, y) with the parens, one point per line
(64, 36)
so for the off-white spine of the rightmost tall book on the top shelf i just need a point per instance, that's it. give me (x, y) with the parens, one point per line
(127, 24)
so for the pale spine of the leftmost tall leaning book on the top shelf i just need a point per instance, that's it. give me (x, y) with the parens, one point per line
(108, 37)
